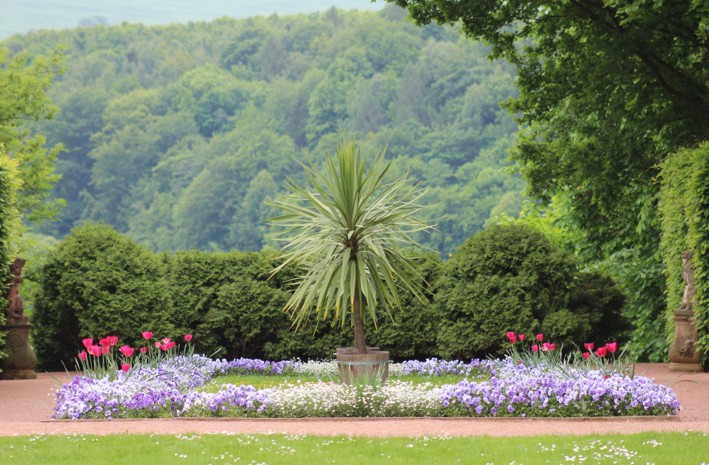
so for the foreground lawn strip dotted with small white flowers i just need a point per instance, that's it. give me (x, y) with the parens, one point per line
(645, 448)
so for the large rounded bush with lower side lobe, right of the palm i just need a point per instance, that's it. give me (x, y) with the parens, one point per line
(512, 278)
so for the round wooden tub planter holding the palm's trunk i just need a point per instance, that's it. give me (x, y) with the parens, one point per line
(369, 368)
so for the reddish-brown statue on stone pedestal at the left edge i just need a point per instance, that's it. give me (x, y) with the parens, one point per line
(21, 361)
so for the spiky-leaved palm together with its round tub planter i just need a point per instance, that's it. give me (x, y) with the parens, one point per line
(349, 231)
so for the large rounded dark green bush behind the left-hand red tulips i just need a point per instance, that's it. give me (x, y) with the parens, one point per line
(94, 283)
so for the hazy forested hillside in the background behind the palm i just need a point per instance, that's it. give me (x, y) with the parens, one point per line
(178, 135)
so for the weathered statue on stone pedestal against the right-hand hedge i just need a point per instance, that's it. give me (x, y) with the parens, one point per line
(684, 355)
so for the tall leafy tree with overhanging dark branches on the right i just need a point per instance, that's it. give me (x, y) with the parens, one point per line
(597, 132)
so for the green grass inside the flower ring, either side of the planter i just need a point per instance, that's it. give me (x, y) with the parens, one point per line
(262, 382)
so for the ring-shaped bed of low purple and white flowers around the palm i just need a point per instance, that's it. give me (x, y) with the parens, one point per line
(491, 388)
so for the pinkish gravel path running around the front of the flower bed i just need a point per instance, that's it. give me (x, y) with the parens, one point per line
(26, 408)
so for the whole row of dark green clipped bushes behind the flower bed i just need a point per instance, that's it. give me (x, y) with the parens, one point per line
(98, 282)
